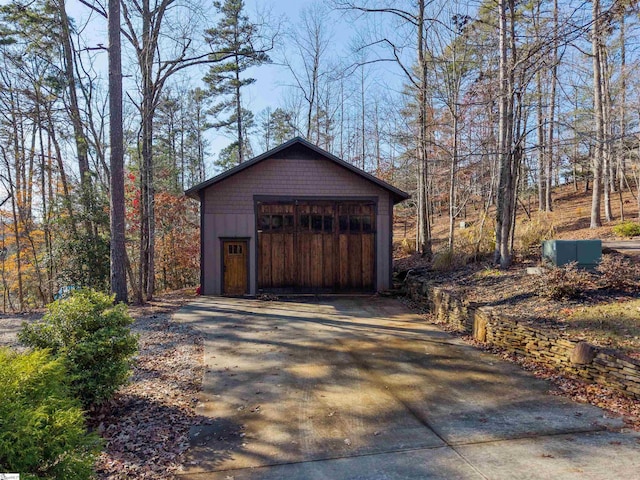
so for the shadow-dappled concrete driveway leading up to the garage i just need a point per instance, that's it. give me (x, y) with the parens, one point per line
(361, 388)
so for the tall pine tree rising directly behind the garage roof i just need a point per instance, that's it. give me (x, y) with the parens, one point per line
(233, 36)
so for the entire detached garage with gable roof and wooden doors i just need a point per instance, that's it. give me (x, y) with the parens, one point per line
(295, 219)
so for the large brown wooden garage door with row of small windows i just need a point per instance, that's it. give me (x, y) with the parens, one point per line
(316, 246)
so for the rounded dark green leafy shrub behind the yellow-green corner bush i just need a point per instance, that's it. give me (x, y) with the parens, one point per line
(93, 337)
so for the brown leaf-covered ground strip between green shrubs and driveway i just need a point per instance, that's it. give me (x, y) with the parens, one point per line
(146, 426)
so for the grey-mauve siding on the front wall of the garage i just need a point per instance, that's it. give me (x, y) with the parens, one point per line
(229, 209)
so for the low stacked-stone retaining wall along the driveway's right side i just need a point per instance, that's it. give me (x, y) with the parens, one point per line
(603, 366)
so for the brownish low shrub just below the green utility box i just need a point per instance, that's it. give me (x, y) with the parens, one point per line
(563, 282)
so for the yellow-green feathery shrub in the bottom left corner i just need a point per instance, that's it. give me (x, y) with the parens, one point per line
(42, 430)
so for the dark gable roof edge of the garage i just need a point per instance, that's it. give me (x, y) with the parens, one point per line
(397, 194)
